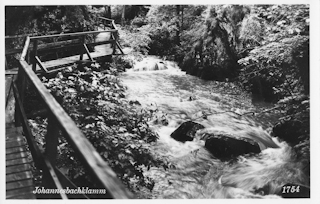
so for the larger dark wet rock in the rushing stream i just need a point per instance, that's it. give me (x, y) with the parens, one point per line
(227, 147)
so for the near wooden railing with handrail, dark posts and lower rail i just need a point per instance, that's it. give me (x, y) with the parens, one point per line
(58, 120)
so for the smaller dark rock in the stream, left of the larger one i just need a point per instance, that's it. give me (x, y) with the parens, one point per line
(186, 131)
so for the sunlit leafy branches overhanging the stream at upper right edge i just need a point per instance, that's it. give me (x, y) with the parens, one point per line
(277, 56)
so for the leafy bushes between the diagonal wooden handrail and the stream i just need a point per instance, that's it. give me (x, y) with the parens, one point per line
(95, 99)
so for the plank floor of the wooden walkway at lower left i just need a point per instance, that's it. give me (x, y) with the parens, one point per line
(19, 177)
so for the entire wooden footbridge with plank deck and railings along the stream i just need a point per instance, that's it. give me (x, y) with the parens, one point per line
(23, 156)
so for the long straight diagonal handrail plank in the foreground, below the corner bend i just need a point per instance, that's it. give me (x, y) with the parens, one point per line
(105, 176)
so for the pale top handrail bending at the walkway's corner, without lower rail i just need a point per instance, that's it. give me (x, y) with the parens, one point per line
(59, 119)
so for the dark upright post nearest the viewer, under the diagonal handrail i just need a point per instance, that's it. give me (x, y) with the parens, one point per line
(52, 139)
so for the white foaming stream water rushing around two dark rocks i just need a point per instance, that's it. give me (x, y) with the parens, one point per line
(195, 173)
